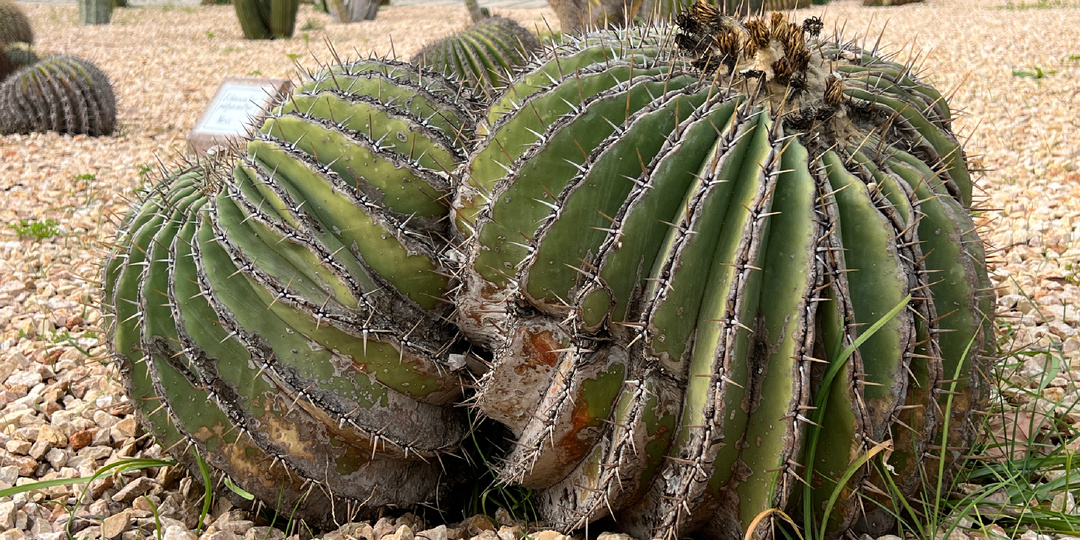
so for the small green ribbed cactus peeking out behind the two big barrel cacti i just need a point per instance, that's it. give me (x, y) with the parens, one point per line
(484, 56)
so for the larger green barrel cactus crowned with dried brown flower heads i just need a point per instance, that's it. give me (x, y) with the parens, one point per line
(551, 306)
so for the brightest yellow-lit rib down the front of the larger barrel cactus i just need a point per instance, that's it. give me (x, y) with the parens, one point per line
(707, 441)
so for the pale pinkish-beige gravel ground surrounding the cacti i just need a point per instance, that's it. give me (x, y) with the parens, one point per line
(62, 410)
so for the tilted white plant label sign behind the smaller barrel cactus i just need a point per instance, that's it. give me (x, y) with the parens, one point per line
(239, 104)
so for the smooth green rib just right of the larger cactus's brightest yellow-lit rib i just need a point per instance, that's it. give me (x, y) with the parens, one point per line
(780, 385)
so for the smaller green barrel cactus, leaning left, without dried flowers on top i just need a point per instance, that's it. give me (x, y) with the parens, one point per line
(302, 289)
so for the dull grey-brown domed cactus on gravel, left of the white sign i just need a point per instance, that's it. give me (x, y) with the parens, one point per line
(60, 93)
